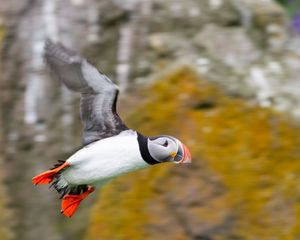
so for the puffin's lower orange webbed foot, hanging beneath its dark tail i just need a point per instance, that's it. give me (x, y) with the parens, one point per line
(70, 202)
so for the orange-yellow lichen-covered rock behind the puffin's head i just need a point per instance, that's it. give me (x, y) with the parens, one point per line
(244, 178)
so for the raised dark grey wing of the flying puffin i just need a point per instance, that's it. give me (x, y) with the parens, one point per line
(98, 93)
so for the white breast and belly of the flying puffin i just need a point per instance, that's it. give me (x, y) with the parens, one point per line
(105, 159)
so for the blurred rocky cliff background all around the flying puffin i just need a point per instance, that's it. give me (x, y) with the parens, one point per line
(222, 75)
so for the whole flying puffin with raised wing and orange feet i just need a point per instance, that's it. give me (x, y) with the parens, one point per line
(109, 148)
